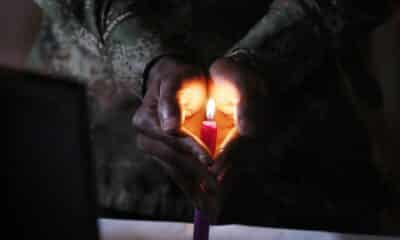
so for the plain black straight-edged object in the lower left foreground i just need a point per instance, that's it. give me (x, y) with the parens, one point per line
(47, 163)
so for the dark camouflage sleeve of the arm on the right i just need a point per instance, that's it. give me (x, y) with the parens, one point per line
(295, 35)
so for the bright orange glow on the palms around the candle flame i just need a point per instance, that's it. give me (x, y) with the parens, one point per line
(221, 107)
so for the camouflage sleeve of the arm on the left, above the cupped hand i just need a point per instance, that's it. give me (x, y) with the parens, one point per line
(136, 32)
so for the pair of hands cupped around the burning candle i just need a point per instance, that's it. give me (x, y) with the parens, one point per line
(171, 113)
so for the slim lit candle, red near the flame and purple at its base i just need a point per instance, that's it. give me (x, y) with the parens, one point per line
(208, 134)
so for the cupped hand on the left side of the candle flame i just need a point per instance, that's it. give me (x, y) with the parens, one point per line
(168, 122)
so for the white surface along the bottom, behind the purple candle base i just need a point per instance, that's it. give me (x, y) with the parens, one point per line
(142, 230)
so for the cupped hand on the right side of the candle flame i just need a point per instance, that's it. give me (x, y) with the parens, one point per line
(240, 94)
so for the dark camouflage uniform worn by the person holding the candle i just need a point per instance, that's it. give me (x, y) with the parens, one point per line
(107, 44)
